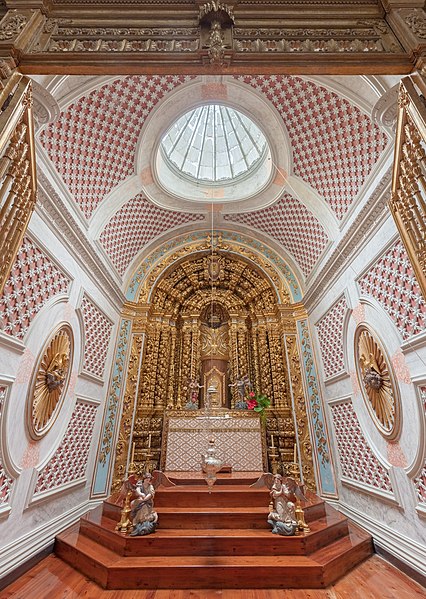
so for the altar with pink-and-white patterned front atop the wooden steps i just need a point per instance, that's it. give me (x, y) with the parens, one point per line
(238, 441)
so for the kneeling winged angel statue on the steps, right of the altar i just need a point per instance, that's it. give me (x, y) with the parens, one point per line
(284, 492)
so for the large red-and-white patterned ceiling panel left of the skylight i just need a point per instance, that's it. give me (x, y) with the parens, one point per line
(92, 144)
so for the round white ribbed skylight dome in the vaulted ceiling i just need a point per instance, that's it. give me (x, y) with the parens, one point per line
(214, 151)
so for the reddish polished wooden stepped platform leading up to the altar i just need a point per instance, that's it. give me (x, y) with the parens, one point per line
(214, 540)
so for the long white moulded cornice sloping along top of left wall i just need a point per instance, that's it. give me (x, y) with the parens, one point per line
(55, 213)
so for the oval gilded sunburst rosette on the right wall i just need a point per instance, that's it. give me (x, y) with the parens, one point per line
(377, 382)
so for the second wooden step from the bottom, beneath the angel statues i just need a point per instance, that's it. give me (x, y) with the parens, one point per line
(216, 541)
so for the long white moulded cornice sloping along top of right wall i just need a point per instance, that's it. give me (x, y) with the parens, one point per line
(372, 214)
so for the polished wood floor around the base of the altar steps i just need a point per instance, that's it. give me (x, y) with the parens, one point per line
(373, 579)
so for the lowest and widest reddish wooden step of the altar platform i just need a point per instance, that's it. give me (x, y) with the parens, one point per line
(180, 572)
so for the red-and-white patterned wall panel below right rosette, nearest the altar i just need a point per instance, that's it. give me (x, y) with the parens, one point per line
(357, 461)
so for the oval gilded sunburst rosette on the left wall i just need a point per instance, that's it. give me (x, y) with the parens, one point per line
(50, 381)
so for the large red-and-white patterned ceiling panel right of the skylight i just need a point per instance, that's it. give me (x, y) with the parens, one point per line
(334, 144)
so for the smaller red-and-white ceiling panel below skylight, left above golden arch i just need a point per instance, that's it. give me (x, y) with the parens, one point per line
(135, 225)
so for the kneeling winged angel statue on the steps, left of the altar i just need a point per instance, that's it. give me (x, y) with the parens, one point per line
(144, 517)
